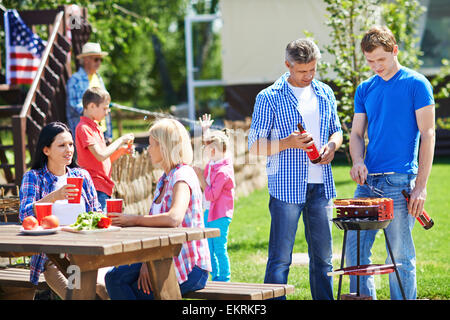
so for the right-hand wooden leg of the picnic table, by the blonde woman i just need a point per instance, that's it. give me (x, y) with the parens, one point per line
(164, 280)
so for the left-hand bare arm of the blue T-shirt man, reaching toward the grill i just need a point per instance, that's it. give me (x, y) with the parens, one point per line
(357, 148)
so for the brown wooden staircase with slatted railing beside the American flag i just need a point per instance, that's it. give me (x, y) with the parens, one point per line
(25, 113)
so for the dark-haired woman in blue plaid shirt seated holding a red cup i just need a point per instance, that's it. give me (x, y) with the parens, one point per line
(53, 162)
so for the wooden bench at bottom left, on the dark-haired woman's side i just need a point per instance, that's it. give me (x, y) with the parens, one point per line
(15, 284)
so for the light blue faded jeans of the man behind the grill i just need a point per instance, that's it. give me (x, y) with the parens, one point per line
(398, 233)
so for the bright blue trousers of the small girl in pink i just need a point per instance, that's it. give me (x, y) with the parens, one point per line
(220, 262)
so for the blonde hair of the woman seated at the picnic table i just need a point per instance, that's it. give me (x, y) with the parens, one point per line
(174, 142)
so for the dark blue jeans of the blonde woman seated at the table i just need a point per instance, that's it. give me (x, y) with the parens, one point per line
(122, 282)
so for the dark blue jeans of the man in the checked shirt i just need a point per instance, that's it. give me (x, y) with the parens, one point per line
(317, 215)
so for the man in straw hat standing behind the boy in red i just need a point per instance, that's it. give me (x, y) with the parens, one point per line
(86, 77)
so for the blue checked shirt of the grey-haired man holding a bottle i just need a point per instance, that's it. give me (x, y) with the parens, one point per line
(275, 117)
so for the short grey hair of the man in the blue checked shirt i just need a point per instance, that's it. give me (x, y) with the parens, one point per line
(302, 51)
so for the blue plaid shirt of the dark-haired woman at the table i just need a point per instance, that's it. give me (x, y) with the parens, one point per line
(36, 184)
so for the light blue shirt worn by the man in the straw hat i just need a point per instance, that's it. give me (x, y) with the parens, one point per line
(76, 86)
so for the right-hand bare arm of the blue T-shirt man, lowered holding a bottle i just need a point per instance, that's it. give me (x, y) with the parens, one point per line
(425, 122)
